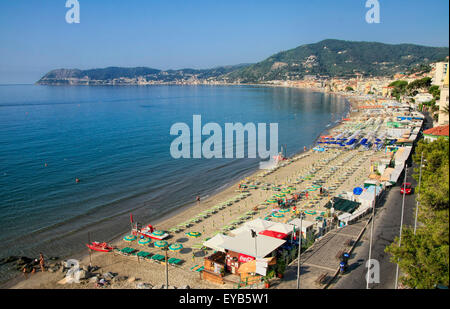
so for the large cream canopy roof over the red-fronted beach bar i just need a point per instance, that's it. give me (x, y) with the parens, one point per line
(244, 243)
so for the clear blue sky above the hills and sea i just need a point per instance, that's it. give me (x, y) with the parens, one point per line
(35, 38)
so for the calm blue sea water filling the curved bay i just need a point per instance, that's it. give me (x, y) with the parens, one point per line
(116, 141)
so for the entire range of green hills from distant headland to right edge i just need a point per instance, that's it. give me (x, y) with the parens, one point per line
(328, 58)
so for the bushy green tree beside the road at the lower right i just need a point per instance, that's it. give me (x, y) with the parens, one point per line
(424, 258)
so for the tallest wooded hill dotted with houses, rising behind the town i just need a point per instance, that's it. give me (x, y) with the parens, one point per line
(335, 58)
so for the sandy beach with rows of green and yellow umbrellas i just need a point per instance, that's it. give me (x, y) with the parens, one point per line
(339, 171)
